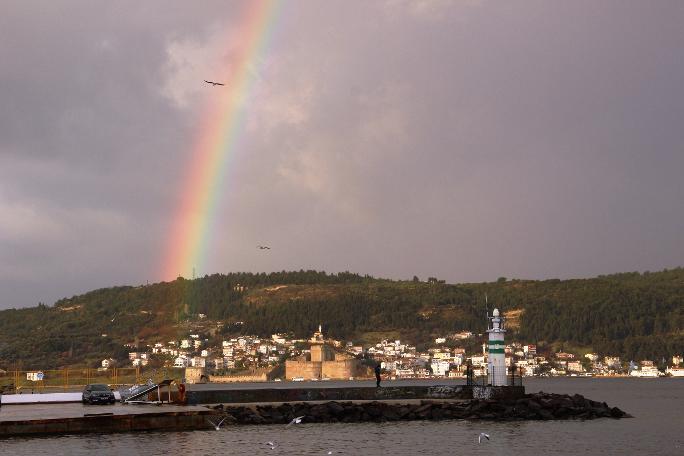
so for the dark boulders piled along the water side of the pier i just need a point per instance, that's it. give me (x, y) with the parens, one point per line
(539, 406)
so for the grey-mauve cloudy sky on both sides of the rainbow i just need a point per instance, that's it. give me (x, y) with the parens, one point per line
(465, 140)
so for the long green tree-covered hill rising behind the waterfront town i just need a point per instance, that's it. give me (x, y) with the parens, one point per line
(632, 315)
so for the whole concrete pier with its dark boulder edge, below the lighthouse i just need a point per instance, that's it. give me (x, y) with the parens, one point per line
(315, 405)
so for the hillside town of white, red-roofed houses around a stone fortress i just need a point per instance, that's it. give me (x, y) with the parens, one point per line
(259, 358)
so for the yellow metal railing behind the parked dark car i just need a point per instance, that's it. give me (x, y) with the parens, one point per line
(73, 379)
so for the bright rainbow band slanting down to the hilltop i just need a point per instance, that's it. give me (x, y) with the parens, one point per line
(218, 138)
